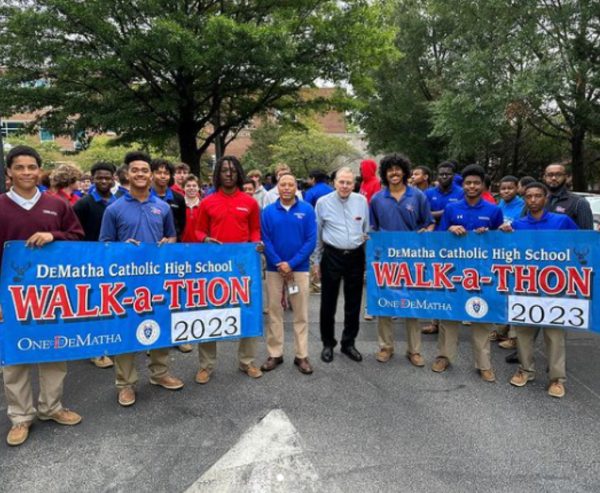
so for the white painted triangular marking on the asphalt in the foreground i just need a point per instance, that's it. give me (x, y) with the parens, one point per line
(267, 458)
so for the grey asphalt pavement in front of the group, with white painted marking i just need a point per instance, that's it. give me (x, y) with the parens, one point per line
(364, 427)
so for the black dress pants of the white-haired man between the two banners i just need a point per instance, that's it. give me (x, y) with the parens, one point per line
(349, 266)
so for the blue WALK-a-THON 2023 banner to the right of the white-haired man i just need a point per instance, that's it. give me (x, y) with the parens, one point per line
(545, 278)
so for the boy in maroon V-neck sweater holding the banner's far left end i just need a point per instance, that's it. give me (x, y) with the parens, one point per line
(26, 214)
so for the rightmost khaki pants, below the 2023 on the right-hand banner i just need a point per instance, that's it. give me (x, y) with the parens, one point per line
(555, 350)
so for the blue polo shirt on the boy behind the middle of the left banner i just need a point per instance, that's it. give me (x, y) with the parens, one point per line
(128, 218)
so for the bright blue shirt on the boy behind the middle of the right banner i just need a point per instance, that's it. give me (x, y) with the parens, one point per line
(481, 215)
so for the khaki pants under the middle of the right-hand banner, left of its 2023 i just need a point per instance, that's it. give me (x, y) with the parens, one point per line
(480, 332)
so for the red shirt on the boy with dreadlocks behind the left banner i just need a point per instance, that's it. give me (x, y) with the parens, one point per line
(228, 218)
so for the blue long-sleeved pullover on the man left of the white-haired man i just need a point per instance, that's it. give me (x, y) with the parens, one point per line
(289, 235)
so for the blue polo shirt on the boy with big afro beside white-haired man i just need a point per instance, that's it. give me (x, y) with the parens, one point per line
(410, 213)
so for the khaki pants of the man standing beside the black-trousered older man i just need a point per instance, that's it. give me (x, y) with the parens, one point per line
(299, 304)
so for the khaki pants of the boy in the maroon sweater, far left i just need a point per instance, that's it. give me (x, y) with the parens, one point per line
(19, 393)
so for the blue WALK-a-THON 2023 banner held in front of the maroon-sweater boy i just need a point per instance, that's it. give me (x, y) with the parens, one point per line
(74, 300)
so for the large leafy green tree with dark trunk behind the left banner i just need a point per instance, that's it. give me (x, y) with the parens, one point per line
(151, 70)
